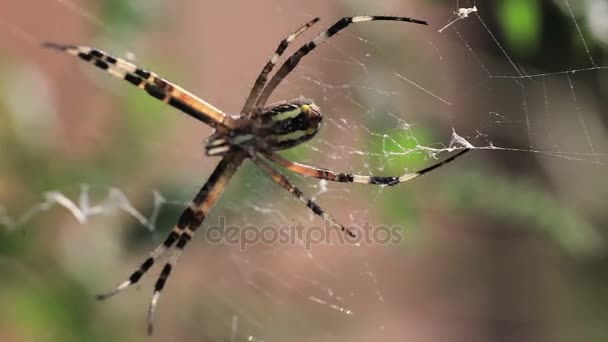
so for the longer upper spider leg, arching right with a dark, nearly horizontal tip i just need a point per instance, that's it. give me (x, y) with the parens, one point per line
(294, 59)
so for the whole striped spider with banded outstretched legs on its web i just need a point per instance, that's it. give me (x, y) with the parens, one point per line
(256, 134)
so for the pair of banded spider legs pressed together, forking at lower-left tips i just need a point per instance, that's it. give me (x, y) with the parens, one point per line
(182, 233)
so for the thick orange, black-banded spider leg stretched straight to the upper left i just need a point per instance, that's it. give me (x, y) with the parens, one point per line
(153, 84)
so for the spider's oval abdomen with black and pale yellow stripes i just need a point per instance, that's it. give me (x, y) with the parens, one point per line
(287, 124)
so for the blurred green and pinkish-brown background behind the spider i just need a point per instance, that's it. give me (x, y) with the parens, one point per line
(505, 244)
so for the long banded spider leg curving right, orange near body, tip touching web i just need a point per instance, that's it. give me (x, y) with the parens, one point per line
(329, 175)
